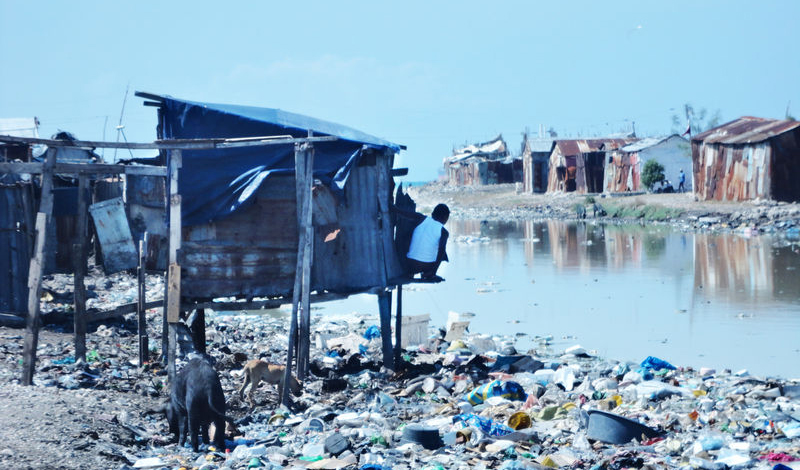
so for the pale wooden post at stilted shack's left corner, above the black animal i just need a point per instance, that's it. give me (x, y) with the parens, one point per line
(172, 303)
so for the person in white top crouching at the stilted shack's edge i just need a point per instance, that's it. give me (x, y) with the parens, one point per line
(428, 242)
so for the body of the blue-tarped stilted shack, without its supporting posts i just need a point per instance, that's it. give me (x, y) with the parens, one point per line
(239, 207)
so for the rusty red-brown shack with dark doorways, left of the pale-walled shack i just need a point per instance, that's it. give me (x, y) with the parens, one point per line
(578, 165)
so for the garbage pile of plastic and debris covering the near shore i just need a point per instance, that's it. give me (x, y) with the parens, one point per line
(473, 402)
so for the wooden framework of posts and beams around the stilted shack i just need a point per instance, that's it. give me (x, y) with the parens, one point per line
(173, 307)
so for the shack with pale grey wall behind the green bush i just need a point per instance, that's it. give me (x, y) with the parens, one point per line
(624, 166)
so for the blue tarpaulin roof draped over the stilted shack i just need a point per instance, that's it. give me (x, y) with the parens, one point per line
(216, 183)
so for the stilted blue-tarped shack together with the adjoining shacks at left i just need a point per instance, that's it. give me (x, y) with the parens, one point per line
(256, 206)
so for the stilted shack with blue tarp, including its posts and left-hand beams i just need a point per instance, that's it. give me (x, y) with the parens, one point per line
(262, 207)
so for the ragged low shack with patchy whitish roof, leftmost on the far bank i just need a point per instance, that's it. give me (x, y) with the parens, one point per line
(481, 164)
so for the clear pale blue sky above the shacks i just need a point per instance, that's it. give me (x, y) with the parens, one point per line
(431, 75)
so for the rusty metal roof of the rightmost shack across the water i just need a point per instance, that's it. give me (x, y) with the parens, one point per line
(746, 130)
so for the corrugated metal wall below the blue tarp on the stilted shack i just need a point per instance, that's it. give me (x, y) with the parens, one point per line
(254, 252)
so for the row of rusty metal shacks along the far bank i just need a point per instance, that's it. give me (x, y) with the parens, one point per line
(747, 158)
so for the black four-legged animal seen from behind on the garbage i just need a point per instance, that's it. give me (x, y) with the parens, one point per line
(197, 400)
